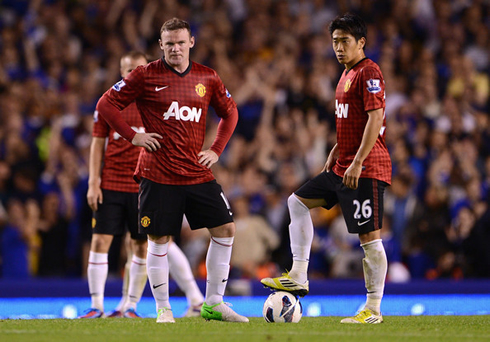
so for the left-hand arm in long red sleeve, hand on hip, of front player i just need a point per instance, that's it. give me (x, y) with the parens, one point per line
(112, 115)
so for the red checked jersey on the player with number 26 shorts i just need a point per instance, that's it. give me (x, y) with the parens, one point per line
(361, 89)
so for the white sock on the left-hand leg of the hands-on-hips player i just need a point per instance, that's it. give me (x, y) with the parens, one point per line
(157, 267)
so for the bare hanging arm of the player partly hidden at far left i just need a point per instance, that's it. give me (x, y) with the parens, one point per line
(94, 193)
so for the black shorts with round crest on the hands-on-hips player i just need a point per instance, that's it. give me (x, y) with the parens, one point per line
(162, 207)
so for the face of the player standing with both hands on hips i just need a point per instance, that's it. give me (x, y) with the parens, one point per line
(176, 46)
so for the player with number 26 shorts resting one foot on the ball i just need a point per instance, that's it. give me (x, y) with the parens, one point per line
(355, 175)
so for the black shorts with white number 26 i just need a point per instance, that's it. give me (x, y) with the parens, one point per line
(362, 208)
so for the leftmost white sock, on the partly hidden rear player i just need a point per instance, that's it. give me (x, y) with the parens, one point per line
(97, 275)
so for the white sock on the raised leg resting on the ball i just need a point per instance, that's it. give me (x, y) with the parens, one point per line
(301, 235)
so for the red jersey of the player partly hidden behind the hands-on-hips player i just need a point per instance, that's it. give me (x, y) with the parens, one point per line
(120, 157)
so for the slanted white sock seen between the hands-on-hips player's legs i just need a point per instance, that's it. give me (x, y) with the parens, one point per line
(181, 271)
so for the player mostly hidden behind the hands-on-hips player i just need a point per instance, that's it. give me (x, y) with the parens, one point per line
(113, 196)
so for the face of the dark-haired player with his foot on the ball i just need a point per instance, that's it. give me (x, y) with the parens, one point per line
(347, 49)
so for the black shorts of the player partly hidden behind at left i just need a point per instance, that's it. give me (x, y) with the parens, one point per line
(117, 214)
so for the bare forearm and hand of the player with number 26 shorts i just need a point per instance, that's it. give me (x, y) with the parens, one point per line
(369, 137)
